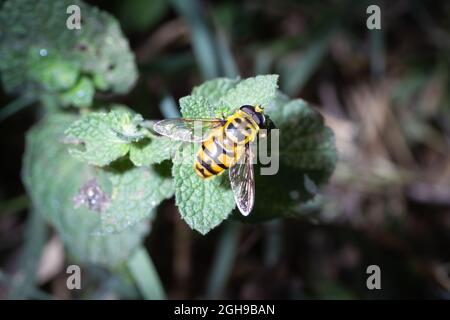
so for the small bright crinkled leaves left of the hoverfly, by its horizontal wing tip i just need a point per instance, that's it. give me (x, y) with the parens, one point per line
(102, 138)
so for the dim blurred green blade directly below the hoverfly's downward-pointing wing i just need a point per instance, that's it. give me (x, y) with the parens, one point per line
(223, 261)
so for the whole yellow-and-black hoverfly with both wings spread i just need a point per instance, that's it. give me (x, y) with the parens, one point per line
(225, 145)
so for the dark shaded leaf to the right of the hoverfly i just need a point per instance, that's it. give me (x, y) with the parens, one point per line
(307, 159)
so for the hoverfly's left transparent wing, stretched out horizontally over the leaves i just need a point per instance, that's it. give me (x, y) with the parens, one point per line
(190, 130)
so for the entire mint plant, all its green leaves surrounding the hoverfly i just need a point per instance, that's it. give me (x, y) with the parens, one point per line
(96, 170)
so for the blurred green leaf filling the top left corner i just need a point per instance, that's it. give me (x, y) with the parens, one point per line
(47, 57)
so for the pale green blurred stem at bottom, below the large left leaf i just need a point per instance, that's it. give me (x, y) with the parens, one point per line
(145, 275)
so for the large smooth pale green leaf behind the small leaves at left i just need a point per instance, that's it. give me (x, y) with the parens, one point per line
(54, 192)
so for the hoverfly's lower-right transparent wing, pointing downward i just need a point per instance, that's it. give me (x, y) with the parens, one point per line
(243, 182)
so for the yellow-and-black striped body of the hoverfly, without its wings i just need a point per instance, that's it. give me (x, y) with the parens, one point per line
(225, 145)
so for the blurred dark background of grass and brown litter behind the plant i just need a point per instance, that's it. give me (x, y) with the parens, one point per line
(385, 94)
